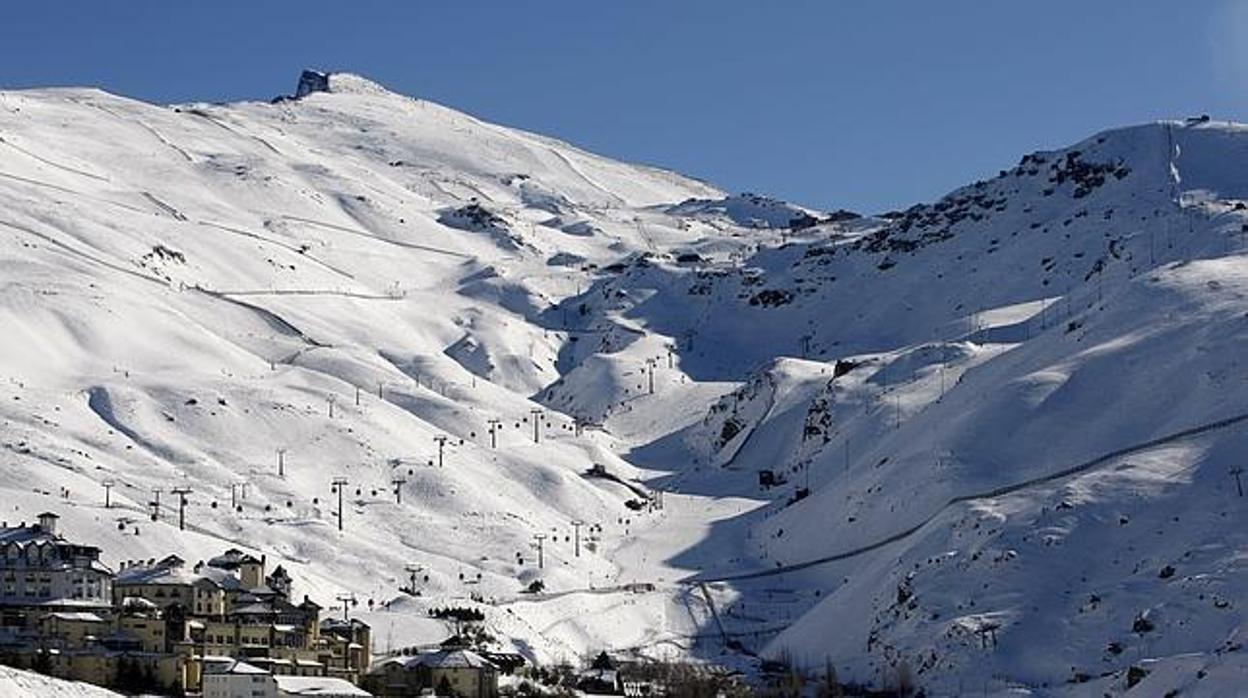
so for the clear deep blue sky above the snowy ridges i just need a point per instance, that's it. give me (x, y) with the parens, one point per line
(864, 106)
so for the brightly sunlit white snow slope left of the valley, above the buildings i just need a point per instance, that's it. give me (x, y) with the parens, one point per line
(189, 292)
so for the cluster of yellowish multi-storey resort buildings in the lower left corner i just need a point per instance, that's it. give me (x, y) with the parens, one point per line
(162, 625)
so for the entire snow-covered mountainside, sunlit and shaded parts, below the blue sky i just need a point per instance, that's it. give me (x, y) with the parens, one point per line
(999, 429)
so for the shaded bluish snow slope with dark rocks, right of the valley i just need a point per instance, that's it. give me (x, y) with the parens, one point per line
(1019, 473)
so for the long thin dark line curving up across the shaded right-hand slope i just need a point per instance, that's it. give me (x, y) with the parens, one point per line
(998, 493)
